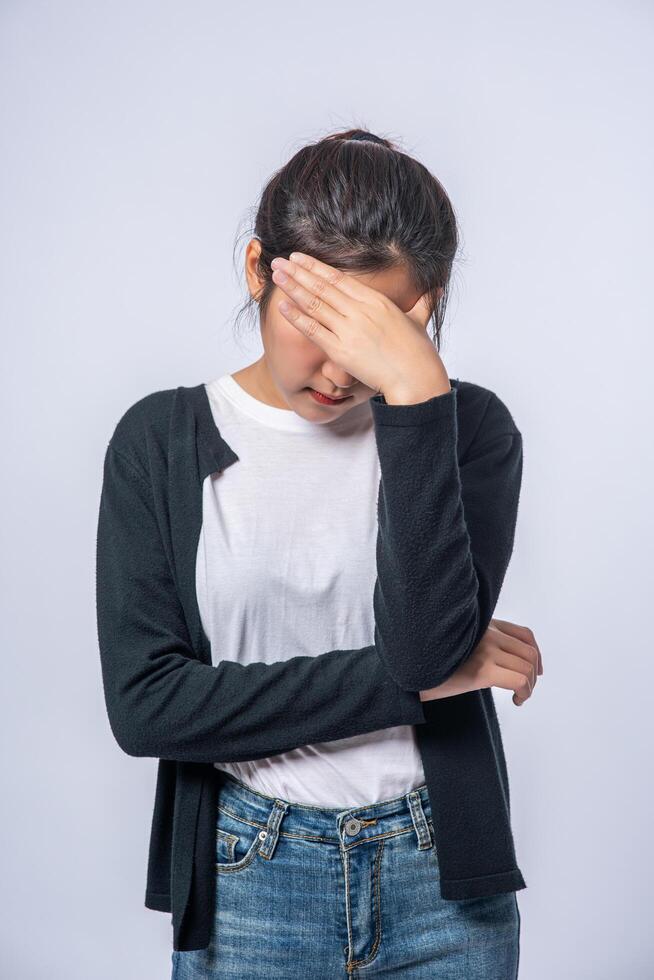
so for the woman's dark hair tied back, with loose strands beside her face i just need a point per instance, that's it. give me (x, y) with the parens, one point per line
(357, 202)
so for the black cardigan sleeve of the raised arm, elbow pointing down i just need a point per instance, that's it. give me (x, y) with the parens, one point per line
(445, 533)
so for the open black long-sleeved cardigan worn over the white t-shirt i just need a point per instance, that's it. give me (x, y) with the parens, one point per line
(451, 471)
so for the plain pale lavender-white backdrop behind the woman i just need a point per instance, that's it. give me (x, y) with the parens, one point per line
(136, 139)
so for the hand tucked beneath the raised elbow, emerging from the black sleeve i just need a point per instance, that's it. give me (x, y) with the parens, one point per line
(506, 656)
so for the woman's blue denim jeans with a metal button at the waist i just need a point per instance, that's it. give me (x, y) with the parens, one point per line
(313, 893)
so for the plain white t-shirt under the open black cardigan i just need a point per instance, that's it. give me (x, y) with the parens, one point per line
(286, 566)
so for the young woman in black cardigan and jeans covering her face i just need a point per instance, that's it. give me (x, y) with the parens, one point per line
(297, 566)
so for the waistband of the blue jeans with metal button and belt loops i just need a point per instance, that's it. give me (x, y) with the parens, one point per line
(402, 814)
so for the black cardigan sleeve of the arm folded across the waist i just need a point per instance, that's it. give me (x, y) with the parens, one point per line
(163, 702)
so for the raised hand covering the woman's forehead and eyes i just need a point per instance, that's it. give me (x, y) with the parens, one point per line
(362, 330)
